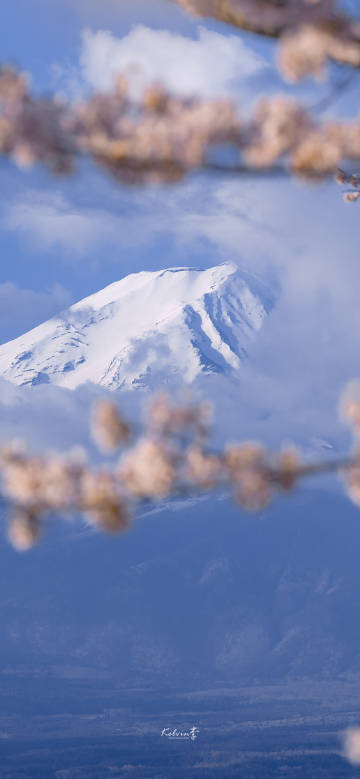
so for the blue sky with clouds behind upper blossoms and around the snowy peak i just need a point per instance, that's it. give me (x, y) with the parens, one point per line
(62, 239)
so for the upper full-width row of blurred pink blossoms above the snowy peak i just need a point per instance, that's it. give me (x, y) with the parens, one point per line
(161, 137)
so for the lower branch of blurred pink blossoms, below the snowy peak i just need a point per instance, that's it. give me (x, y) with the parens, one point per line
(171, 457)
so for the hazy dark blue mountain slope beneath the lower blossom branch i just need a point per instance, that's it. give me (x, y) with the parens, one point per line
(196, 597)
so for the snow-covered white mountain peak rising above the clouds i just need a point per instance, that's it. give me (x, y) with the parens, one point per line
(149, 326)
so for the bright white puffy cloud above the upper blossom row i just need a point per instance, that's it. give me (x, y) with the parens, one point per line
(211, 65)
